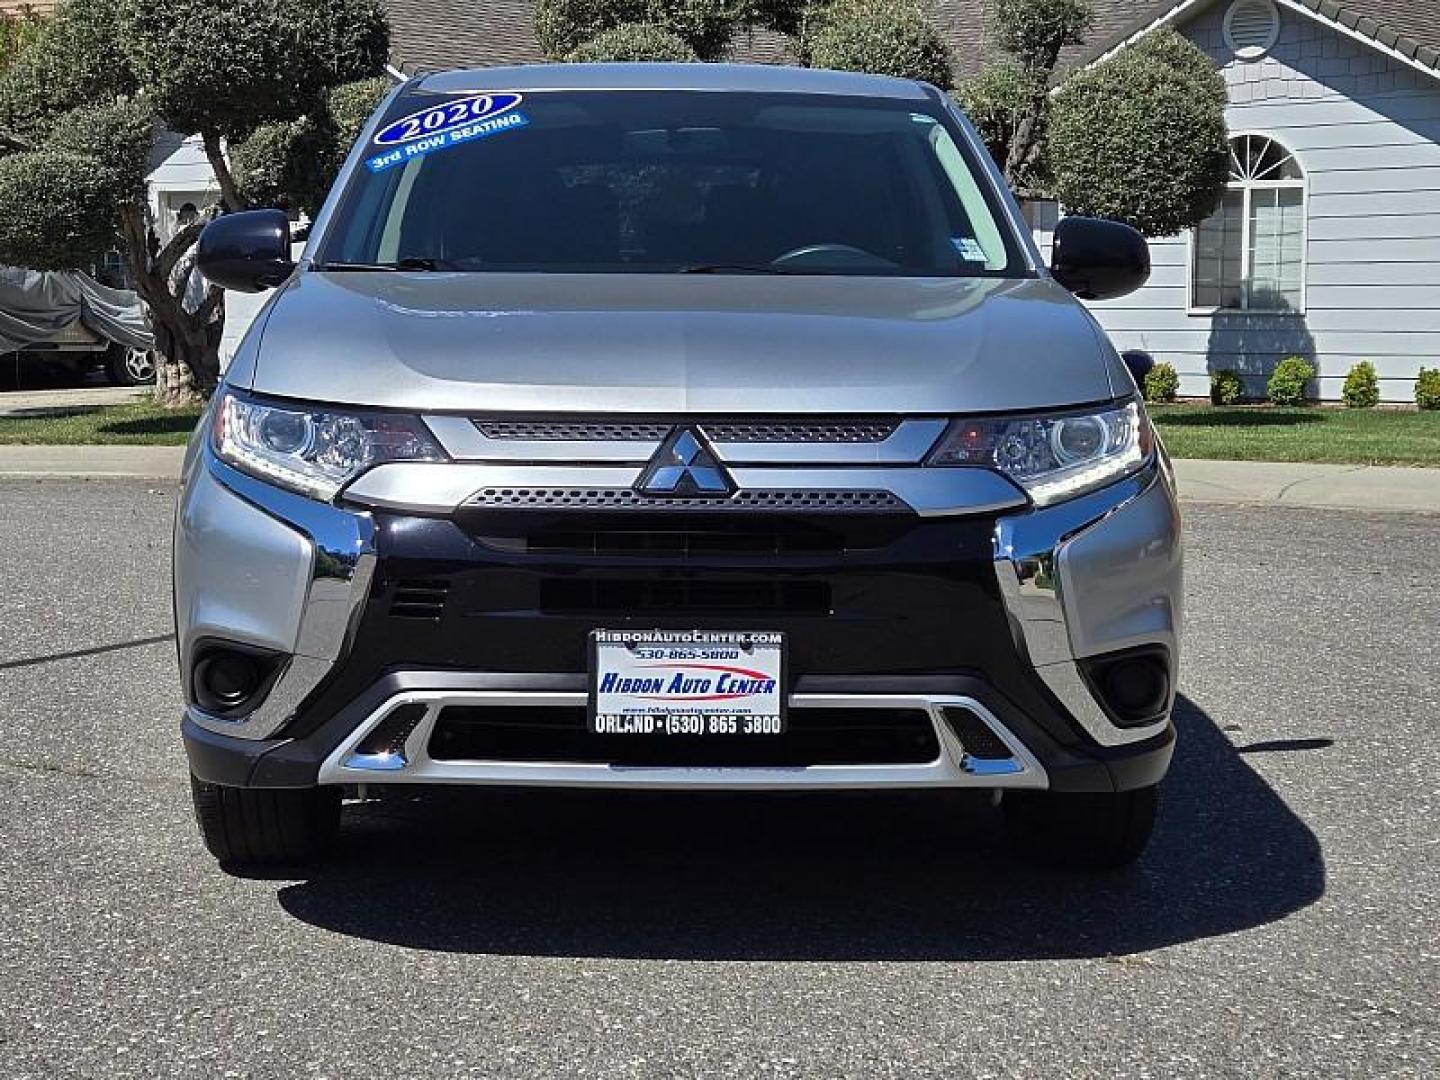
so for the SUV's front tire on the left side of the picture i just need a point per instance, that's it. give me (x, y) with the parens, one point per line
(257, 827)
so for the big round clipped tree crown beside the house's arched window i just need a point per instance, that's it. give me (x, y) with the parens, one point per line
(1143, 138)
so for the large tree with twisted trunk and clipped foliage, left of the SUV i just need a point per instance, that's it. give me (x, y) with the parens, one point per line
(83, 104)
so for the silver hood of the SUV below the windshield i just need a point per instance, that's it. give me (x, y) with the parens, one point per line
(629, 343)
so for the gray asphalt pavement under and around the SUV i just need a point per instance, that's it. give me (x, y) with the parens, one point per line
(1287, 921)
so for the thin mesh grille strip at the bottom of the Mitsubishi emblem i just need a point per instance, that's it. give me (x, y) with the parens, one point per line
(817, 502)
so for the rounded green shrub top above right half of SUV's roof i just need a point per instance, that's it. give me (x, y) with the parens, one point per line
(882, 38)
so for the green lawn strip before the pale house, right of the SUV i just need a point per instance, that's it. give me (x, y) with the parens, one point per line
(1261, 433)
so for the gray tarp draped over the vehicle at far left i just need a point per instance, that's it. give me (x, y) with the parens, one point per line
(37, 306)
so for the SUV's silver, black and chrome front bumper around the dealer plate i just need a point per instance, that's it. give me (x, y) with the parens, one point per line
(369, 611)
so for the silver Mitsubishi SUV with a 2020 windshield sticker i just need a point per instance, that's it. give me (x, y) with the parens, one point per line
(676, 427)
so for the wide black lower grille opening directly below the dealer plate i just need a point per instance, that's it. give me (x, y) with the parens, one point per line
(558, 734)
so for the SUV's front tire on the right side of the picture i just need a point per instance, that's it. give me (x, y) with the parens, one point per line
(1082, 830)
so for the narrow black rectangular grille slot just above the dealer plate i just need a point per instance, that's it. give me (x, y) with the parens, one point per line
(683, 597)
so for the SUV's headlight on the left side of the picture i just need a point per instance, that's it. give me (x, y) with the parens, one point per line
(315, 451)
